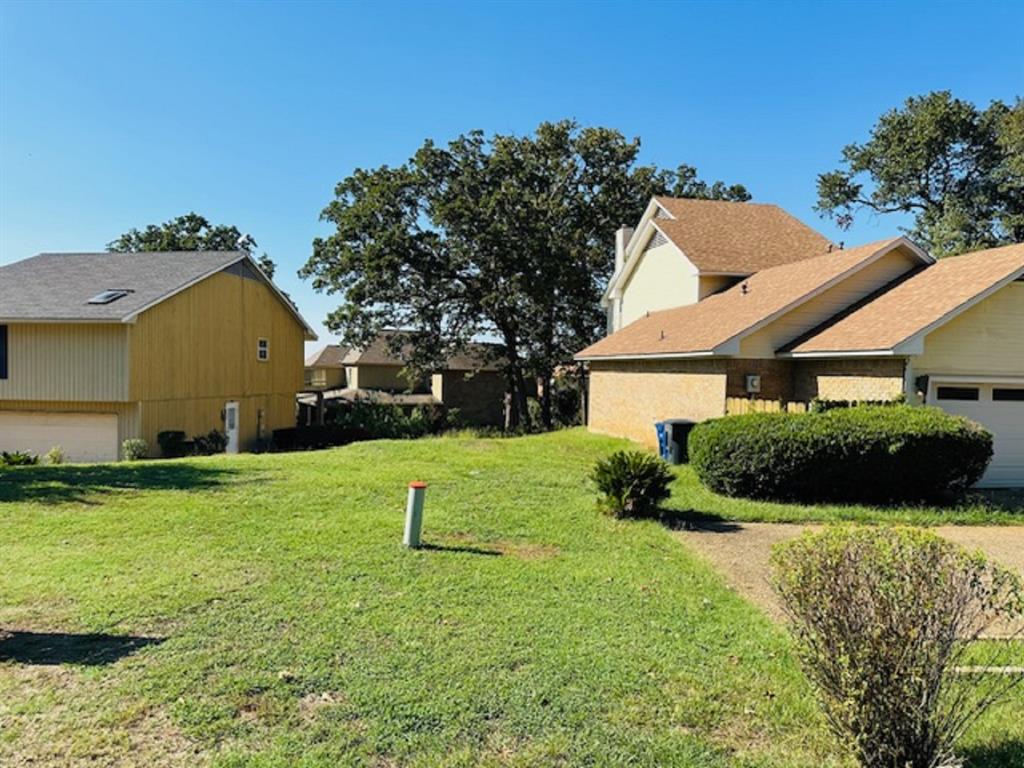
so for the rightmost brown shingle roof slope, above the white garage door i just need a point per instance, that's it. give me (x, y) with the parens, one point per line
(914, 306)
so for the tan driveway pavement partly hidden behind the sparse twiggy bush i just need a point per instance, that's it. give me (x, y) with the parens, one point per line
(742, 552)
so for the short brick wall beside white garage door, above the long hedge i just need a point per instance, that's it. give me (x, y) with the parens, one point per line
(880, 379)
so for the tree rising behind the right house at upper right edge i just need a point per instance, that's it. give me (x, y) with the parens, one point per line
(957, 169)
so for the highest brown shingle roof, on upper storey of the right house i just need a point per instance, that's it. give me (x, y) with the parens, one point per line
(738, 238)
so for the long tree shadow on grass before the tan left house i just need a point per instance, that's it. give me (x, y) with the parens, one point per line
(84, 483)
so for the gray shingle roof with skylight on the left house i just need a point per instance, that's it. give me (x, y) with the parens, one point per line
(59, 286)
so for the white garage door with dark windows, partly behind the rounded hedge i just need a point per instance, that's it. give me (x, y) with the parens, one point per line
(1000, 407)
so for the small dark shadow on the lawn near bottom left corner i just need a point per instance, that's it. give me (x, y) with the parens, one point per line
(61, 648)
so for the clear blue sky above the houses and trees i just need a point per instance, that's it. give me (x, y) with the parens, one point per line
(118, 115)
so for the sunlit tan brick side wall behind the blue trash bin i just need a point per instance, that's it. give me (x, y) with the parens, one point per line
(628, 397)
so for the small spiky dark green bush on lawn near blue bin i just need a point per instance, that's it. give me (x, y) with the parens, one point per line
(632, 483)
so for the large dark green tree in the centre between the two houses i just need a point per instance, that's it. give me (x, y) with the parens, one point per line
(504, 237)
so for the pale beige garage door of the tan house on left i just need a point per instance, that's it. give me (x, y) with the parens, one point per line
(84, 438)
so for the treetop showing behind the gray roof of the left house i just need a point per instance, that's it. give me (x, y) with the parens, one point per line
(191, 233)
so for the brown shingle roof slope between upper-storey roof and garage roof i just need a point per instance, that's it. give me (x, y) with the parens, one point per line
(703, 327)
